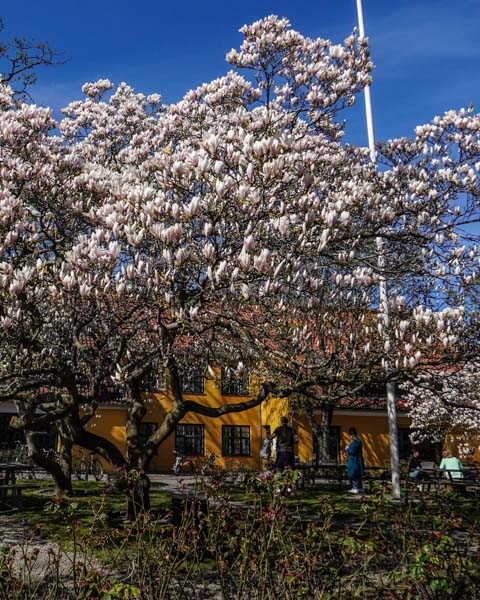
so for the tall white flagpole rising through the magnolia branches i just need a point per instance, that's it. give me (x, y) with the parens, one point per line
(391, 408)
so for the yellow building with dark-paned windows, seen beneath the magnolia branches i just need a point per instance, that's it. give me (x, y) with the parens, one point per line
(236, 438)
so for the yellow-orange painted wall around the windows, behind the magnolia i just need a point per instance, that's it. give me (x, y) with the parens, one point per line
(372, 428)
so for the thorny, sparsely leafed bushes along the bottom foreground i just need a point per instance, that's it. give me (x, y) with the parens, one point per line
(210, 547)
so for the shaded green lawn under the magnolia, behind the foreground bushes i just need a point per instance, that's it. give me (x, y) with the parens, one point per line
(89, 500)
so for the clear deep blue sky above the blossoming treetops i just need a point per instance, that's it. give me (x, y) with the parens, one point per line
(426, 52)
